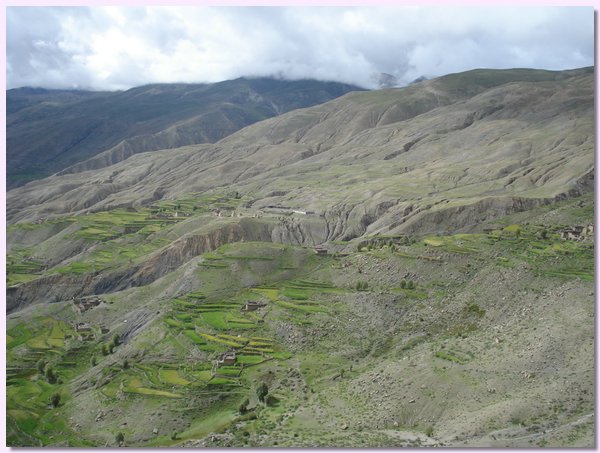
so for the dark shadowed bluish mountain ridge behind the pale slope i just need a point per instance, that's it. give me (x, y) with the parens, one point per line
(48, 130)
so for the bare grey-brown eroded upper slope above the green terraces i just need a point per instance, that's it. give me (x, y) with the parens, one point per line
(372, 161)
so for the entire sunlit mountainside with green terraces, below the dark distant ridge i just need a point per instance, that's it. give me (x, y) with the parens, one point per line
(407, 248)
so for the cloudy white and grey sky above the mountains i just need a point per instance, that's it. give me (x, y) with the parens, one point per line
(115, 48)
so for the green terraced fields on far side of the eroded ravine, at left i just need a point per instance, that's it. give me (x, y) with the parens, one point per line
(111, 239)
